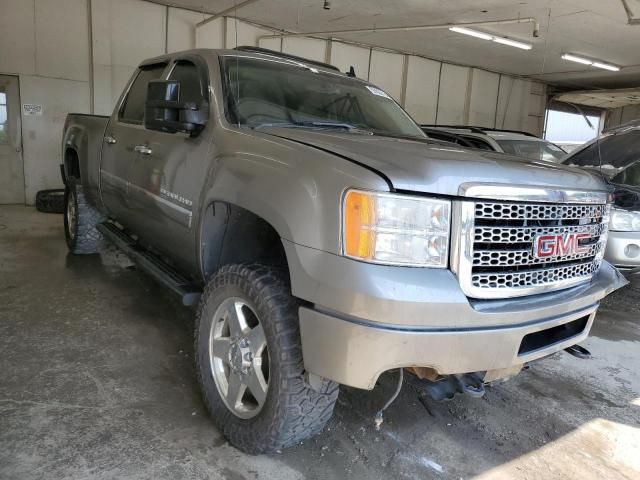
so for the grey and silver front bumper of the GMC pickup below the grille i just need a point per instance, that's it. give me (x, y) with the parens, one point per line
(366, 319)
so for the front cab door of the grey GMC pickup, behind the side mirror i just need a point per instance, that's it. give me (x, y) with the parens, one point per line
(169, 171)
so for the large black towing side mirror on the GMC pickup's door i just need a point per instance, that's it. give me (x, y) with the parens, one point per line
(165, 112)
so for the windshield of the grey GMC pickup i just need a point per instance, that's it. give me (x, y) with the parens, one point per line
(272, 92)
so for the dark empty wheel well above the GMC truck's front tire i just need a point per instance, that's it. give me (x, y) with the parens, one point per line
(232, 234)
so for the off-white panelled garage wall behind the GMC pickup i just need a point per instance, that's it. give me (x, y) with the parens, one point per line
(77, 55)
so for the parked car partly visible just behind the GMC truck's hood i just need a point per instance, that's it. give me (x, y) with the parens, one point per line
(520, 144)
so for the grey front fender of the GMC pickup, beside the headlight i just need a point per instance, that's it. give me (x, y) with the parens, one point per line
(297, 189)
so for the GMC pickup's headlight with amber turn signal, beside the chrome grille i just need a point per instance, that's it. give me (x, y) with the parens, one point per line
(396, 229)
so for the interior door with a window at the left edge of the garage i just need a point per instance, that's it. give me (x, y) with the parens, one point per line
(11, 165)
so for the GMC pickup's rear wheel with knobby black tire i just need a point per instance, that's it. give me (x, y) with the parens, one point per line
(80, 221)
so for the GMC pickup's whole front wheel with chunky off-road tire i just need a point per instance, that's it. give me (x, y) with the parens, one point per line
(249, 362)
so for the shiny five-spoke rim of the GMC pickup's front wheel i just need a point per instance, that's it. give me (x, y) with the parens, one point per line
(239, 358)
